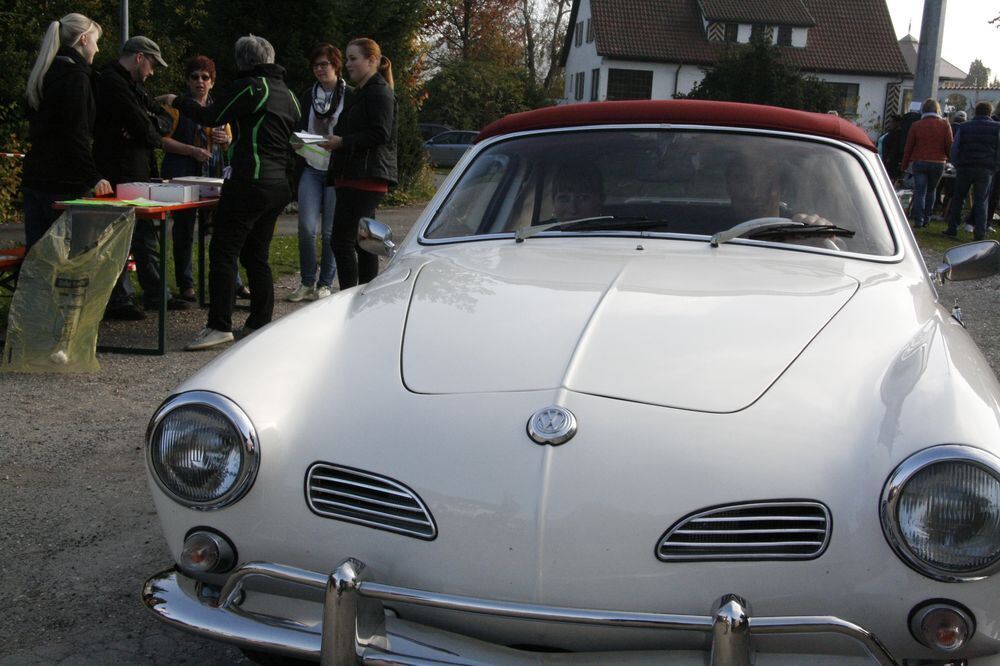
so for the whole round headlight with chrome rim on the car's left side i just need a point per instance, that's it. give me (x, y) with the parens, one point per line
(202, 450)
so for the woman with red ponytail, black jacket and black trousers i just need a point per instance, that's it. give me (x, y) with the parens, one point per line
(363, 162)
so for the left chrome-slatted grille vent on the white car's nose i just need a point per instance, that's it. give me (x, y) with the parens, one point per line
(368, 499)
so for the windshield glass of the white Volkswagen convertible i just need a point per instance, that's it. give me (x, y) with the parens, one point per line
(663, 182)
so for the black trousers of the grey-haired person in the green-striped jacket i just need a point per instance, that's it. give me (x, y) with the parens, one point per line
(243, 228)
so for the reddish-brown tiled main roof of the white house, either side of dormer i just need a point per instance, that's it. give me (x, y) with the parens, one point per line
(850, 36)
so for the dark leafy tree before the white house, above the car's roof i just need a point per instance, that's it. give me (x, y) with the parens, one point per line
(758, 73)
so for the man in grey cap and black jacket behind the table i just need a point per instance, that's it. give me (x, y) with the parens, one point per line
(127, 130)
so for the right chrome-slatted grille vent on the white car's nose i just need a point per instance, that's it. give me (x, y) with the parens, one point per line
(778, 530)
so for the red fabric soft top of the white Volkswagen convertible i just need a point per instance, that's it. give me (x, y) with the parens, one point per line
(681, 112)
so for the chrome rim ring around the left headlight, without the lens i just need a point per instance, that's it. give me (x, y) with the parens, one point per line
(250, 446)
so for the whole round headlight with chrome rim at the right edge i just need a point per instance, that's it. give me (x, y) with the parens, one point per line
(941, 512)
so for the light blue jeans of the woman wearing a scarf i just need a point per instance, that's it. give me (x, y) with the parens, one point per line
(316, 204)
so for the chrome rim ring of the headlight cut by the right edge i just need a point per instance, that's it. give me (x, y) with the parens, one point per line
(892, 492)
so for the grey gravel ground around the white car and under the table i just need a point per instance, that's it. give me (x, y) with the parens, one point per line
(78, 532)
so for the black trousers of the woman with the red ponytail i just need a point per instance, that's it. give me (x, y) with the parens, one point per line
(354, 265)
